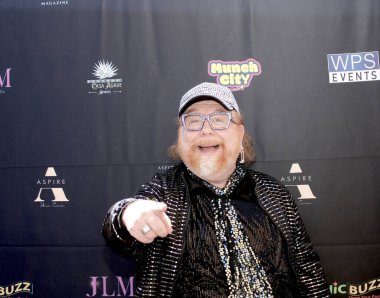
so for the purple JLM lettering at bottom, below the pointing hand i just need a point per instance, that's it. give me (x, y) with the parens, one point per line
(100, 286)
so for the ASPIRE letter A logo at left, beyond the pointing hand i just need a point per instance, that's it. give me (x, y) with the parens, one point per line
(51, 193)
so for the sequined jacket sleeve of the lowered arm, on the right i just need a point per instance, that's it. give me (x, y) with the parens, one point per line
(306, 262)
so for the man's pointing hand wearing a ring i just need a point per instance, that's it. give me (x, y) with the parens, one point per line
(145, 220)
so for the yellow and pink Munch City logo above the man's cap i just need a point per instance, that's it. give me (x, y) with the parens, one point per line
(236, 75)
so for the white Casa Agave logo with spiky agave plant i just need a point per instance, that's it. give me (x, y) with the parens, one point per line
(104, 71)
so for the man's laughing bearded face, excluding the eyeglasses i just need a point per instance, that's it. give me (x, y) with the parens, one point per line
(211, 154)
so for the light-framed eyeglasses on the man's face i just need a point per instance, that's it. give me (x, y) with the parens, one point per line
(217, 121)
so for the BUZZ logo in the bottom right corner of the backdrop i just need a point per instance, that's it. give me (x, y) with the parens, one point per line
(362, 290)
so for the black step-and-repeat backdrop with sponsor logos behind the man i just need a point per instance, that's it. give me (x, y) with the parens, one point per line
(89, 92)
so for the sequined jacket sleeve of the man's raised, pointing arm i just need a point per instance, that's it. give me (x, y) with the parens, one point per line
(114, 232)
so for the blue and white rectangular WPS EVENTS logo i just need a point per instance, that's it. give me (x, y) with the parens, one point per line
(353, 67)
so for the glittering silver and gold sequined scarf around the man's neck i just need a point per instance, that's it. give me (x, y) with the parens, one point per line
(245, 275)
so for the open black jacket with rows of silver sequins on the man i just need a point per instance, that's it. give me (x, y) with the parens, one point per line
(159, 261)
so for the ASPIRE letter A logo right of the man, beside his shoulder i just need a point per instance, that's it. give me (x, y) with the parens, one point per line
(299, 181)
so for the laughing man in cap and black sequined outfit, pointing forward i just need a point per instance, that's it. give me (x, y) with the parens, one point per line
(209, 226)
